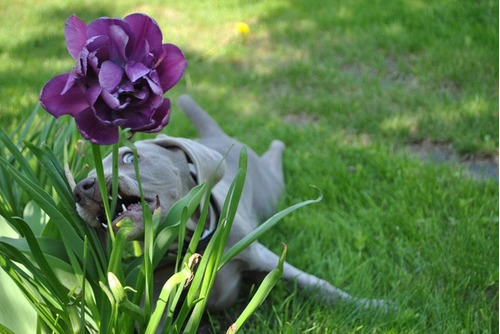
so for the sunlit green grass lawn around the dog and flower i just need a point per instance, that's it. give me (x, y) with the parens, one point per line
(346, 85)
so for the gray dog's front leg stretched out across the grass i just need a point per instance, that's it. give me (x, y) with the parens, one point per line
(260, 258)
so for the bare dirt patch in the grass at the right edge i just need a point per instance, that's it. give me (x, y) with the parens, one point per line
(479, 166)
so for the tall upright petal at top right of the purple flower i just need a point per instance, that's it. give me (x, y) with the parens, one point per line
(147, 35)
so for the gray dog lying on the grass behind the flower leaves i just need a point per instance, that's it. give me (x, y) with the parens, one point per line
(170, 167)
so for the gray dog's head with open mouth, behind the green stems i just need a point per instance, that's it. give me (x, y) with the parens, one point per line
(169, 167)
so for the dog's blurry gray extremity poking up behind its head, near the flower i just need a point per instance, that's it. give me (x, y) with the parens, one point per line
(205, 124)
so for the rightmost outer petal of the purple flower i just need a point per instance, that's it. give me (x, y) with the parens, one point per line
(170, 66)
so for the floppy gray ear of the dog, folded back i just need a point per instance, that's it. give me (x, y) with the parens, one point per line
(205, 160)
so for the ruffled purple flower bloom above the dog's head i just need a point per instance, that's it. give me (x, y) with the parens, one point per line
(122, 71)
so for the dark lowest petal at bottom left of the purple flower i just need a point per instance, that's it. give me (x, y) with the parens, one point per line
(94, 130)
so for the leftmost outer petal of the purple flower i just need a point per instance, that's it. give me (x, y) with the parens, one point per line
(72, 102)
